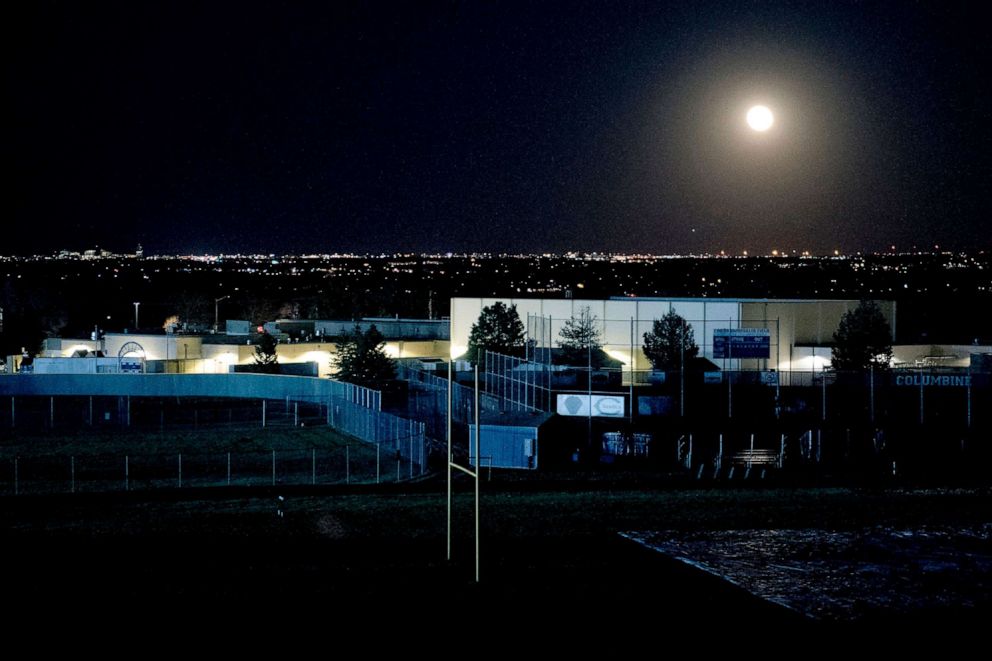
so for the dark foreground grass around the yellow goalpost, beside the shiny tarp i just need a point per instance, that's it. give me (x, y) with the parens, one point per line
(551, 555)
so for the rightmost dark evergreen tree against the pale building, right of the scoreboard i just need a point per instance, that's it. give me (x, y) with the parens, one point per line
(863, 339)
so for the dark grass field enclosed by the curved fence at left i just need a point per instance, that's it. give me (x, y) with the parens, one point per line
(99, 461)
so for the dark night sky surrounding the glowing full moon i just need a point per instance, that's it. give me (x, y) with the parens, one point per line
(214, 127)
